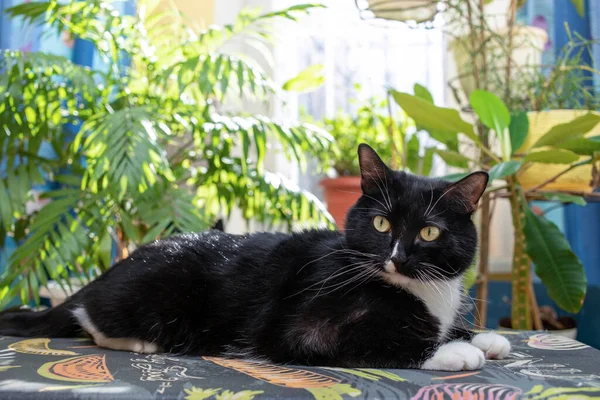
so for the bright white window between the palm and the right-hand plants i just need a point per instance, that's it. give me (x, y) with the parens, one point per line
(372, 54)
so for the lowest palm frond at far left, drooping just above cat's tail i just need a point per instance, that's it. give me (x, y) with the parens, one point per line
(62, 240)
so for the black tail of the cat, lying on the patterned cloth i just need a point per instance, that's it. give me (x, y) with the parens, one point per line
(53, 322)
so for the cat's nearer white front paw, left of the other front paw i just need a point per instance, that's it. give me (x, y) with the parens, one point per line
(455, 356)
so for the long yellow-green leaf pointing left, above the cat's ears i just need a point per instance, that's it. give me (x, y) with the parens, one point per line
(431, 117)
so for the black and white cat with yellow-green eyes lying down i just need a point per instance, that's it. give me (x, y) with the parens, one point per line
(386, 293)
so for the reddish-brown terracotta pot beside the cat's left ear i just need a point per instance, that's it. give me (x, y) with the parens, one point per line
(341, 194)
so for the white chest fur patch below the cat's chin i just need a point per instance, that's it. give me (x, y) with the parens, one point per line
(442, 299)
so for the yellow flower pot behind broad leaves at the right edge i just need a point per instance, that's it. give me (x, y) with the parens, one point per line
(577, 180)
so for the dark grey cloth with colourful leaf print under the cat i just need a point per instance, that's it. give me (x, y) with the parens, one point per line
(541, 366)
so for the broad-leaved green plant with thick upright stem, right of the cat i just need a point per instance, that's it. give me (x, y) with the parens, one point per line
(536, 238)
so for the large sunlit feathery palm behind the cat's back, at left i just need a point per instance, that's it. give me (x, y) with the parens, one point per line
(154, 152)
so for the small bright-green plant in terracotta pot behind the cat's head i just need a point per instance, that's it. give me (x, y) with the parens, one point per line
(395, 138)
